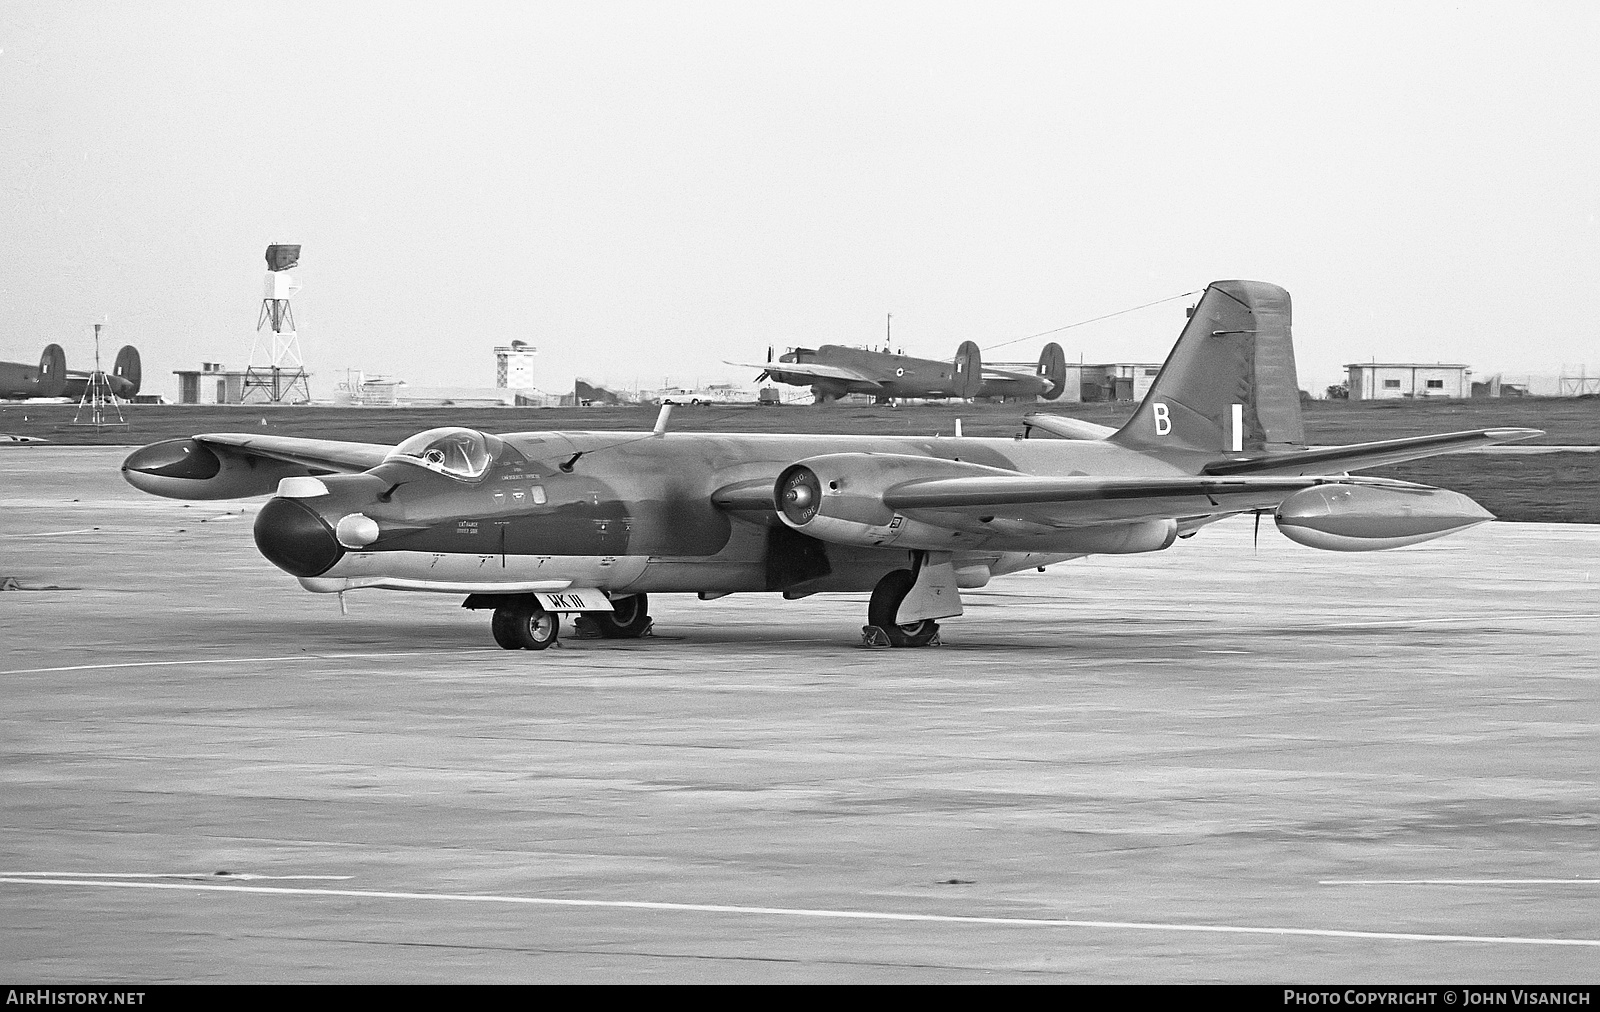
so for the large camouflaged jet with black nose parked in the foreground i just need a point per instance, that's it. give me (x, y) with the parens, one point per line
(540, 524)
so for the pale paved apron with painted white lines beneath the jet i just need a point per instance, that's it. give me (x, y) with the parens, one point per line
(1217, 763)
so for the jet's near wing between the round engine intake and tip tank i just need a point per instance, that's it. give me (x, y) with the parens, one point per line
(1086, 502)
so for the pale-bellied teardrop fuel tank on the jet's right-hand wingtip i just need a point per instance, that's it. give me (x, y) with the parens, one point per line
(1370, 518)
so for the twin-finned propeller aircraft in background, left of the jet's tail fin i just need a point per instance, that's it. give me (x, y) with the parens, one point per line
(834, 371)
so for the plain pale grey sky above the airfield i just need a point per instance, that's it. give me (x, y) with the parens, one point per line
(646, 190)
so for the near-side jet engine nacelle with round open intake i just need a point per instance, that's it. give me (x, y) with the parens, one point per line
(839, 497)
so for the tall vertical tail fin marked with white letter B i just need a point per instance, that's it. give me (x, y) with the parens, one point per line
(1230, 384)
